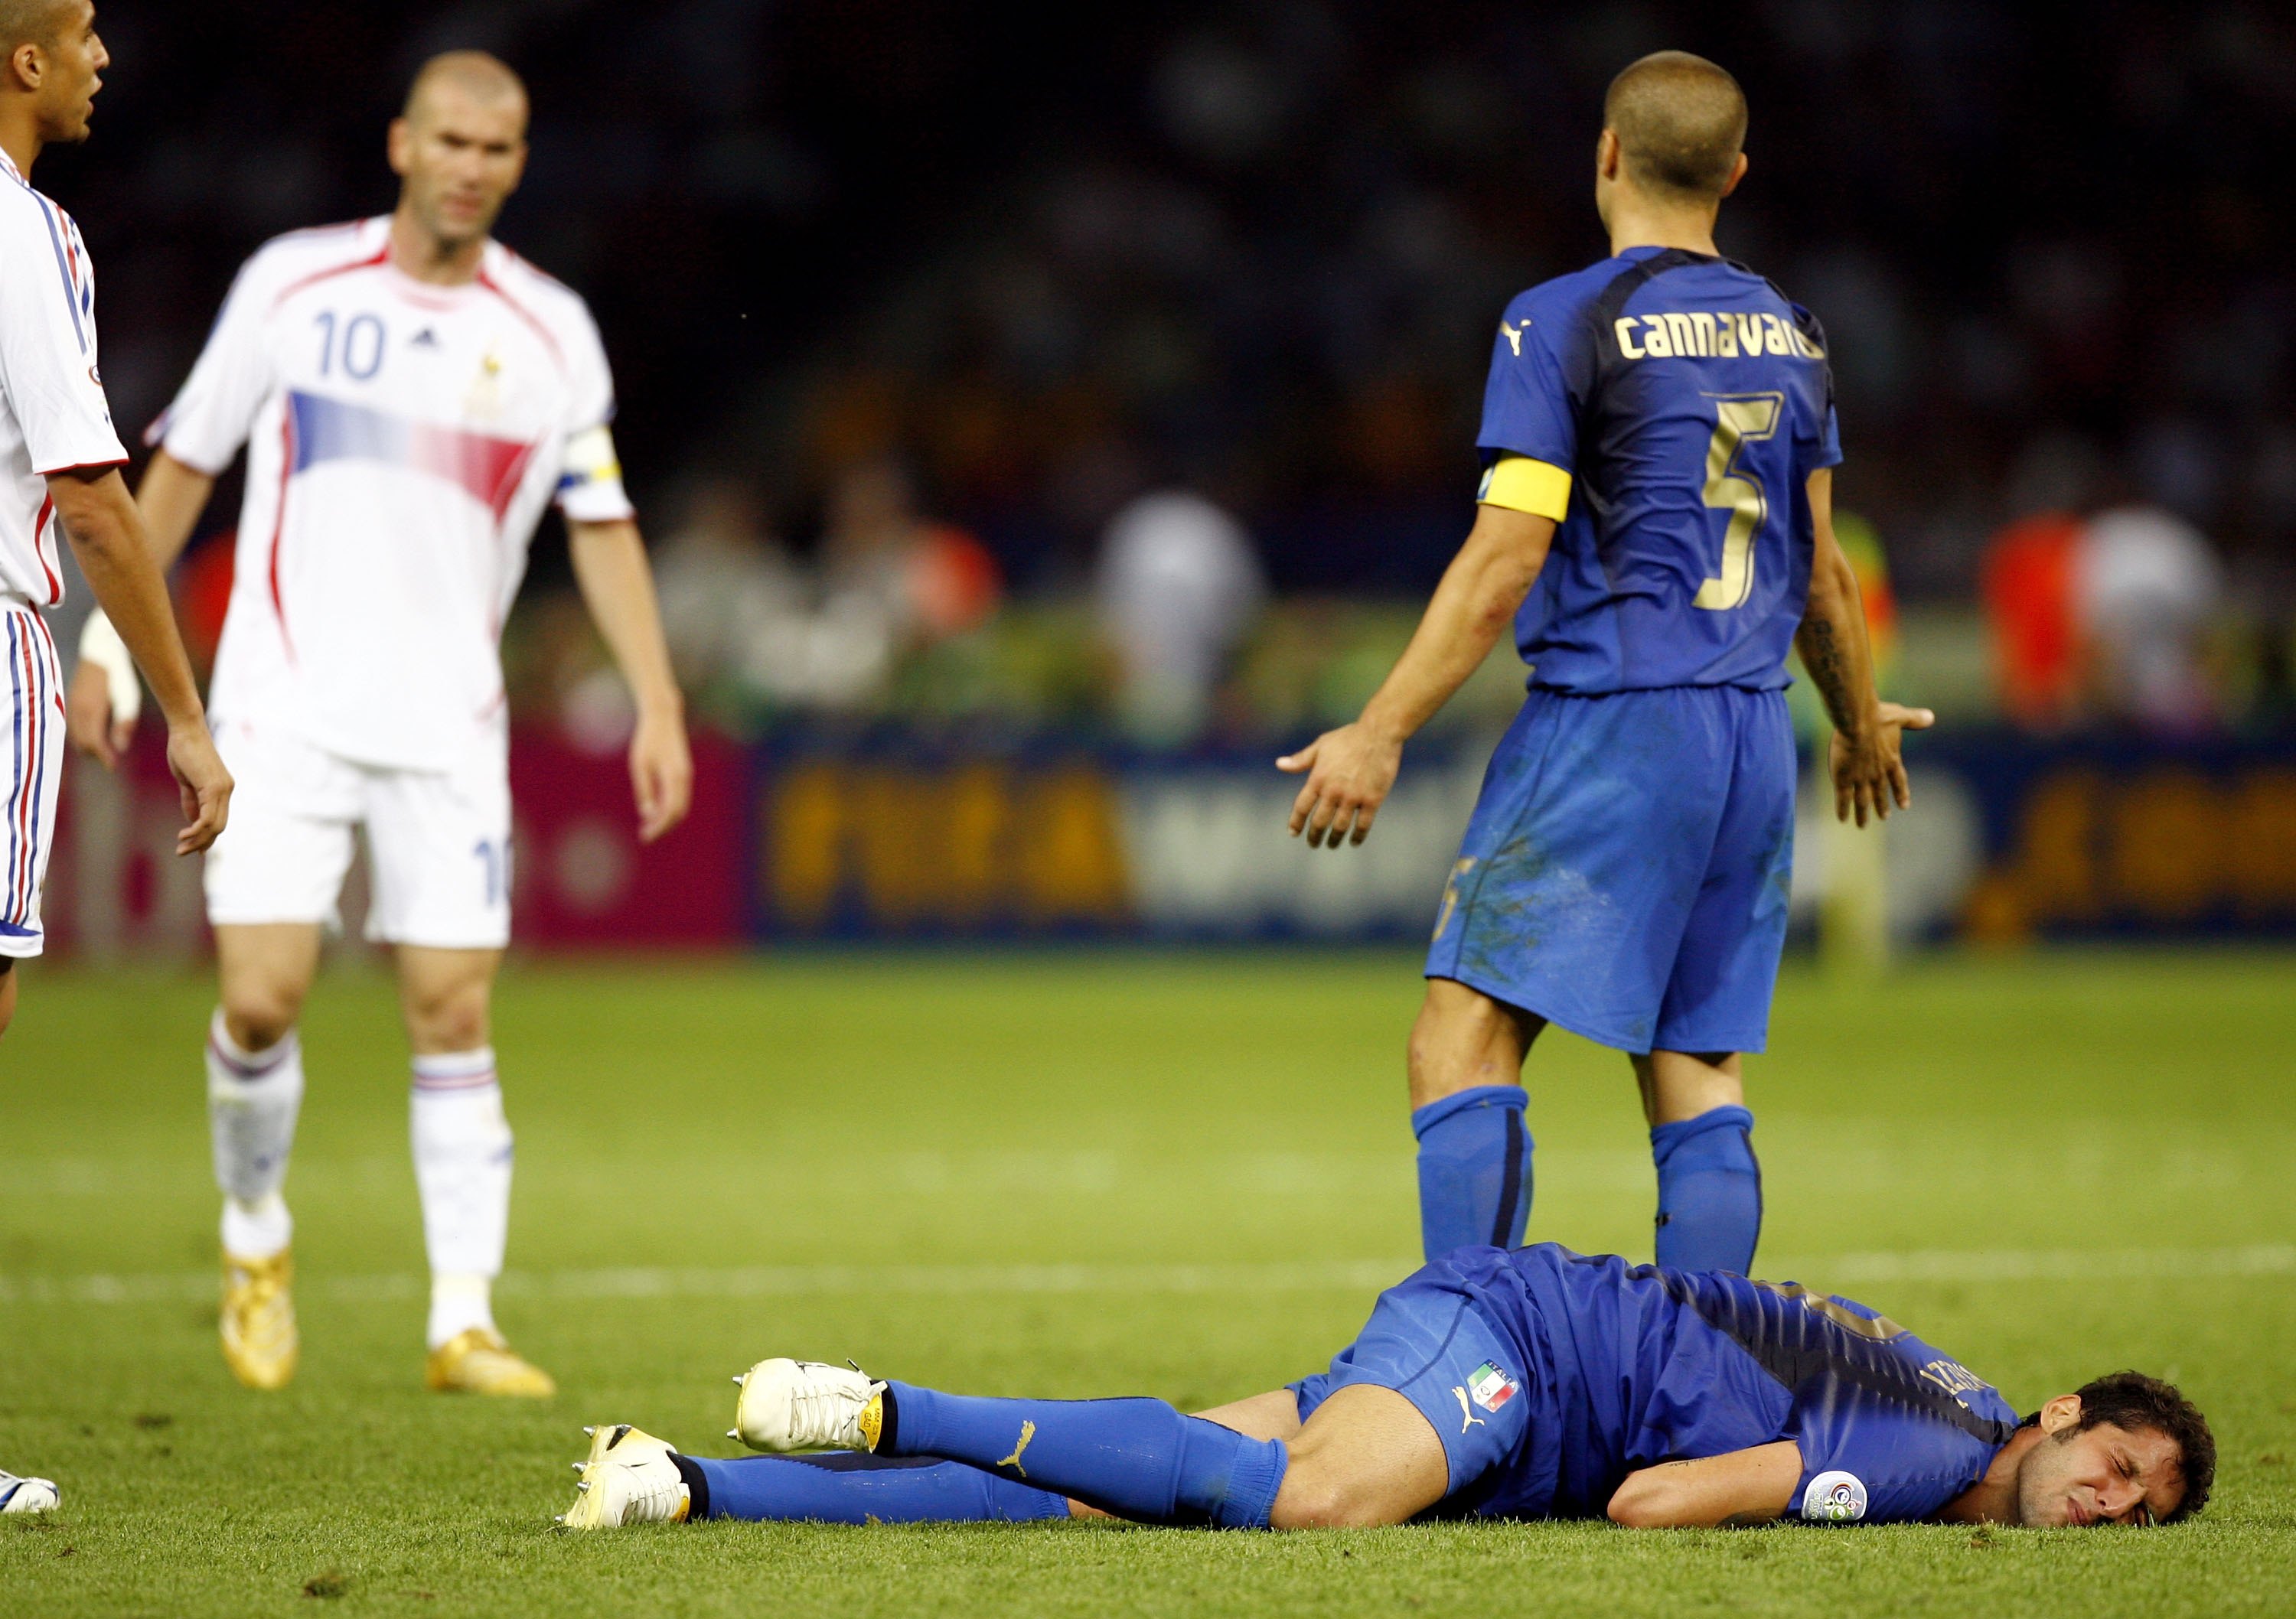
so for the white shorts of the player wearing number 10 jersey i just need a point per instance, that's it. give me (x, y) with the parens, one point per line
(437, 842)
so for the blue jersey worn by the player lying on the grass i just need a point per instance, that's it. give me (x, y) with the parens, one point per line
(1624, 1368)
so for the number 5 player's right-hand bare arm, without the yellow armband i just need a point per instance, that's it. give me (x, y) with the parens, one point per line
(1868, 768)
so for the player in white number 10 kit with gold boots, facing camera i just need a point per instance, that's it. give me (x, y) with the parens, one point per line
(412, 396)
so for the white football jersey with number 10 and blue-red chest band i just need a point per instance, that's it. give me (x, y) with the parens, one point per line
(403, 442)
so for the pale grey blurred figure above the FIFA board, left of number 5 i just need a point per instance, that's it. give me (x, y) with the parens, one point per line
(1179, 591)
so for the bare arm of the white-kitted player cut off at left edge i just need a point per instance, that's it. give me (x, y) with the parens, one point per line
(109, 539)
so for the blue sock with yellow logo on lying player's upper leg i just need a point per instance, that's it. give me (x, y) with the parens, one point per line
(1138, 1459)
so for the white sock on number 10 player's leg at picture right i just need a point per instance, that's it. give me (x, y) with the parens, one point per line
(463, 1170)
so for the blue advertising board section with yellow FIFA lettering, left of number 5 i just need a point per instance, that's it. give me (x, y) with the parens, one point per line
(926, 844)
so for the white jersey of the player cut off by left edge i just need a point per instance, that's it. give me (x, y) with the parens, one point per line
(52, 396)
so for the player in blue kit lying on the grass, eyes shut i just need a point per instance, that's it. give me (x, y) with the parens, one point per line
(1498, 1384)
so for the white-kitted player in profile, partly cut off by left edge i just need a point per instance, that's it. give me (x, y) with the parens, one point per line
(61, 472)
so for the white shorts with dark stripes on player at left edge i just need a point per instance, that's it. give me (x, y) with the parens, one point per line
(31, 773)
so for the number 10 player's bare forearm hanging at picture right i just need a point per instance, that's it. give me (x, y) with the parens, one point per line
(619, 589)
